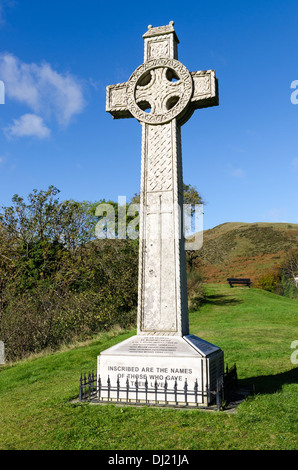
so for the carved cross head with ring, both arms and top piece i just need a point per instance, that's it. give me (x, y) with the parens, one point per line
(162, 88)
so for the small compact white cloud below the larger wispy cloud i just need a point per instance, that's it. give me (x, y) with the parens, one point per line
(29, 125)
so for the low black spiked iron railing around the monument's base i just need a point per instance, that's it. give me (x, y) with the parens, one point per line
(92, 389)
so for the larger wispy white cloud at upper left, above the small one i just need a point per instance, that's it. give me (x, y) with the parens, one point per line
(46, 92)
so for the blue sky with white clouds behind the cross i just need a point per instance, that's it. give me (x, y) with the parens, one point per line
(57, 57)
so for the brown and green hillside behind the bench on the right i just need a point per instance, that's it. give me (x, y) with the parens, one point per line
(237, 249)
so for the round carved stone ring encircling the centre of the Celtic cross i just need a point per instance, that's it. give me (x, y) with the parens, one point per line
(159, 90)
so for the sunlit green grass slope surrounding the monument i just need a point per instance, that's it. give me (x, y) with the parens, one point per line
(254, 328)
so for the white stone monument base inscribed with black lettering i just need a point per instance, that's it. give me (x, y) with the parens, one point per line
(160, 369)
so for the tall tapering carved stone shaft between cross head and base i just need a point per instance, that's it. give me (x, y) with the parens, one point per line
(162, 307)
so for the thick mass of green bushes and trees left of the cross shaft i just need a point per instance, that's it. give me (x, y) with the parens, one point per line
(56, 282)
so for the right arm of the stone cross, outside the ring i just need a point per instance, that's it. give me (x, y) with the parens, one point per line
(205, 92)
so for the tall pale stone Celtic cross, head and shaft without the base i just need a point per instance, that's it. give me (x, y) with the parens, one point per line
(162, 95)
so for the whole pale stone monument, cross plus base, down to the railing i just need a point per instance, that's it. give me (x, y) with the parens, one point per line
(162, 95)
